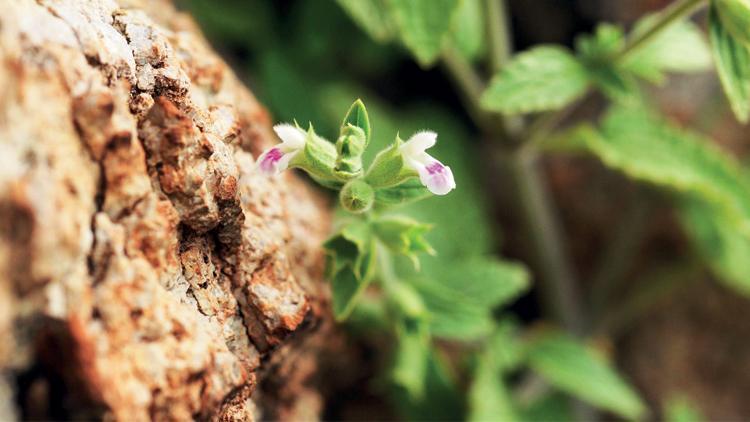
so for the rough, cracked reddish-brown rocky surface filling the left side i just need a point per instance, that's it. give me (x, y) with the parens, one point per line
(146, 270)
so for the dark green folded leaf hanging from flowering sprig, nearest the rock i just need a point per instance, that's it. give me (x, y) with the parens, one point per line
(350, 267)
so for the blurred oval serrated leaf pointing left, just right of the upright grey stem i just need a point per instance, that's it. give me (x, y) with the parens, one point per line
(543, 78)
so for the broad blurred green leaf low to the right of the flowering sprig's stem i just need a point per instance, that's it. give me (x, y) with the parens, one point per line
(461, 297)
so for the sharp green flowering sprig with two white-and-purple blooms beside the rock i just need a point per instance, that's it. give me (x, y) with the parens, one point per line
(389, 180)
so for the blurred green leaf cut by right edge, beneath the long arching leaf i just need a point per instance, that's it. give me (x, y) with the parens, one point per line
(725, 249)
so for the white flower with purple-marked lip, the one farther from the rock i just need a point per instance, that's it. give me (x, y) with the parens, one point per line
(432, 173)
